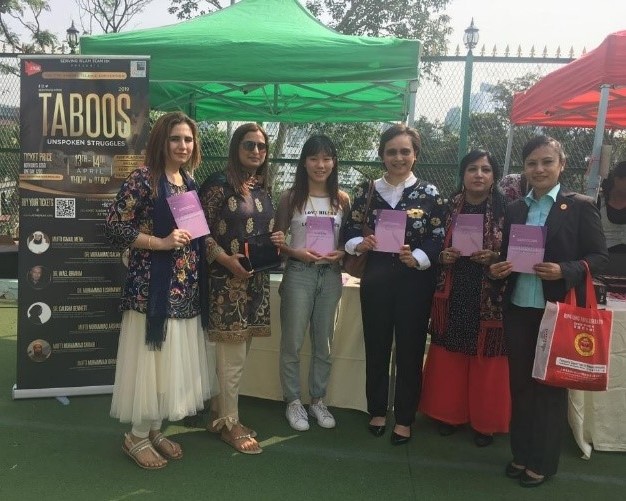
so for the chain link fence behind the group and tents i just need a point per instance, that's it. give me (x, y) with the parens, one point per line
(439, 101)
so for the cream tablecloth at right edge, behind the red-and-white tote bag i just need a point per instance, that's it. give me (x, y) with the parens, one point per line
(598, 418)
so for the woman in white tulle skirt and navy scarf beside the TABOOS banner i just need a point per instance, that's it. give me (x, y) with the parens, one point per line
(165, 367)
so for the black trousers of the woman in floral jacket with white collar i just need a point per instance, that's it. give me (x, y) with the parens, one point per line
(395, 300)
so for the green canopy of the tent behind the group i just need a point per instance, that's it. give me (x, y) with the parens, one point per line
(270, 60)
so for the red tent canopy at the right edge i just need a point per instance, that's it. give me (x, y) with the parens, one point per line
(569, 96)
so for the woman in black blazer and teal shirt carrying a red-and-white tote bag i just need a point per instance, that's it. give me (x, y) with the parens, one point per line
(574, 233)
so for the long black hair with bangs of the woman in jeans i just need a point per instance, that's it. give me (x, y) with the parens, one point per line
(300, 190)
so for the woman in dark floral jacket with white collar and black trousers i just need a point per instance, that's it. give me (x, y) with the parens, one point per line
(397, 287)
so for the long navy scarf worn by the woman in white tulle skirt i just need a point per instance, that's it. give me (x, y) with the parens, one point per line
(162, 268)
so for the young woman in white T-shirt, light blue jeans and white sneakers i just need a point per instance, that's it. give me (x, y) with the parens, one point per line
(311, 285)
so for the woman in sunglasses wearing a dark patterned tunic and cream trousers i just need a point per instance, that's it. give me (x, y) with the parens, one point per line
(237, 206)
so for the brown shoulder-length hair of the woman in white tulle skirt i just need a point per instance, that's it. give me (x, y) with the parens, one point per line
(158, 143)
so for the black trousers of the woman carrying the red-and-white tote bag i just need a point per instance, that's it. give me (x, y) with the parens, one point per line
(539, 411)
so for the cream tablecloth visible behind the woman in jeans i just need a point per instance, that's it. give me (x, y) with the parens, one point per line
(346, 387)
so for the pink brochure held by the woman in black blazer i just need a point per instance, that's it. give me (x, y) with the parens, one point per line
(526, 247)
